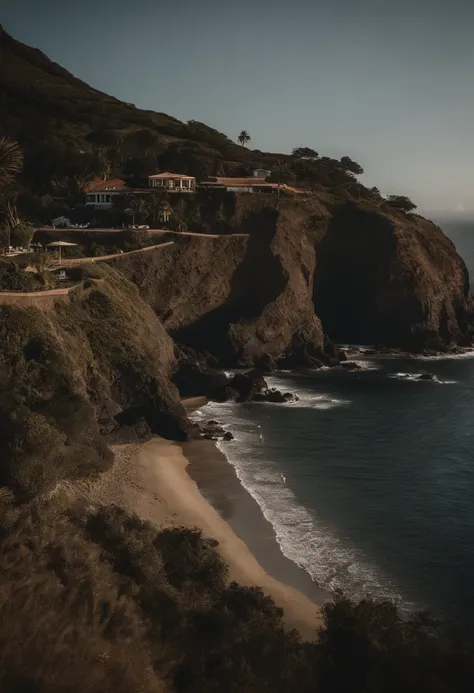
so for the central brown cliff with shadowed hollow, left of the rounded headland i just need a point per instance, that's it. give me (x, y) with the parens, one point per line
(236, 297)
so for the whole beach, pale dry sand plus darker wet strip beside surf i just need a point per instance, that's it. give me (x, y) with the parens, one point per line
(152, 480)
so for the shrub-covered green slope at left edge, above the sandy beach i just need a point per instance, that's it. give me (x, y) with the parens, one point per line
(48, 429)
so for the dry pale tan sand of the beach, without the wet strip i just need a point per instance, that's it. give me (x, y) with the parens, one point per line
(151, 480)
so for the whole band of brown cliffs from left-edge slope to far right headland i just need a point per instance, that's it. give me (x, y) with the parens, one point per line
(107, 359)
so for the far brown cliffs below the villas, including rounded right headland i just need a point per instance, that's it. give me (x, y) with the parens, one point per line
(357, 272)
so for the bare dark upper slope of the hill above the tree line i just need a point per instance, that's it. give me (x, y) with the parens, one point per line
(70, 115)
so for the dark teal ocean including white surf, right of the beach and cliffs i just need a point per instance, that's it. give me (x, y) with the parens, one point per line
(368, 480)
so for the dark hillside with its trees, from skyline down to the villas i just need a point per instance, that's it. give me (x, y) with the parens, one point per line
(68, 130)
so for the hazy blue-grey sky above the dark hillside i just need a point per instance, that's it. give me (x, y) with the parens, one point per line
(386, 83)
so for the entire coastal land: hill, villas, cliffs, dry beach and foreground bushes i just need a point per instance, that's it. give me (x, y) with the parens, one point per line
(146, 261)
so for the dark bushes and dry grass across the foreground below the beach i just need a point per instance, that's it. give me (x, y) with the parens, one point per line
(103, 602)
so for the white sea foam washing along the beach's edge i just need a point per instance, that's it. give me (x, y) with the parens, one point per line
(331, 561)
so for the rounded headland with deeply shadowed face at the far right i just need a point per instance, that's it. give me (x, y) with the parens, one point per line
(386, 278)
